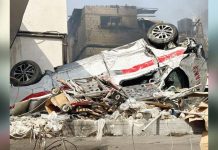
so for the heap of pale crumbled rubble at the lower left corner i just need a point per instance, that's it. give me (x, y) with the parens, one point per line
(28, 126)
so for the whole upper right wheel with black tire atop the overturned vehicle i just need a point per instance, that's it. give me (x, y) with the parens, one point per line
(161, 34)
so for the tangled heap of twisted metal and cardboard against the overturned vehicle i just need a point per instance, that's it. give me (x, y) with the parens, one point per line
(86, 98)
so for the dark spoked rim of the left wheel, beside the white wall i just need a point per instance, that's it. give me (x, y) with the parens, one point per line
(24, 72)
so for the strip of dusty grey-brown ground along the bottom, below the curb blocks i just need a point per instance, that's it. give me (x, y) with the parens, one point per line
(120, 143)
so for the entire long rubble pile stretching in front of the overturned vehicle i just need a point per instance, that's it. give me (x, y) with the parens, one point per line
(99, 99)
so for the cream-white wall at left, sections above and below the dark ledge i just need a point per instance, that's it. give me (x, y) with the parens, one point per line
(41, 16)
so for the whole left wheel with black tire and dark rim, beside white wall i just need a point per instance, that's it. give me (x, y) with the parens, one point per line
(25, 73)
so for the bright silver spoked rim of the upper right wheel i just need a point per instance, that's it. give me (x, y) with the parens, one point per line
(162, 32)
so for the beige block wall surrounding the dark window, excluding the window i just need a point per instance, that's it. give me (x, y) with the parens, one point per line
(90, 31)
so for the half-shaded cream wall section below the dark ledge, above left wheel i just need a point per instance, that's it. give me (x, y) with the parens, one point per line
(47, 53)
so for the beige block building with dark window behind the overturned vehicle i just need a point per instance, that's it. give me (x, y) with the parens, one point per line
(96, 28)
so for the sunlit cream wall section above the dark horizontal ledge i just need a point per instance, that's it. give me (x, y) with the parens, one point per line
(45, 15)
